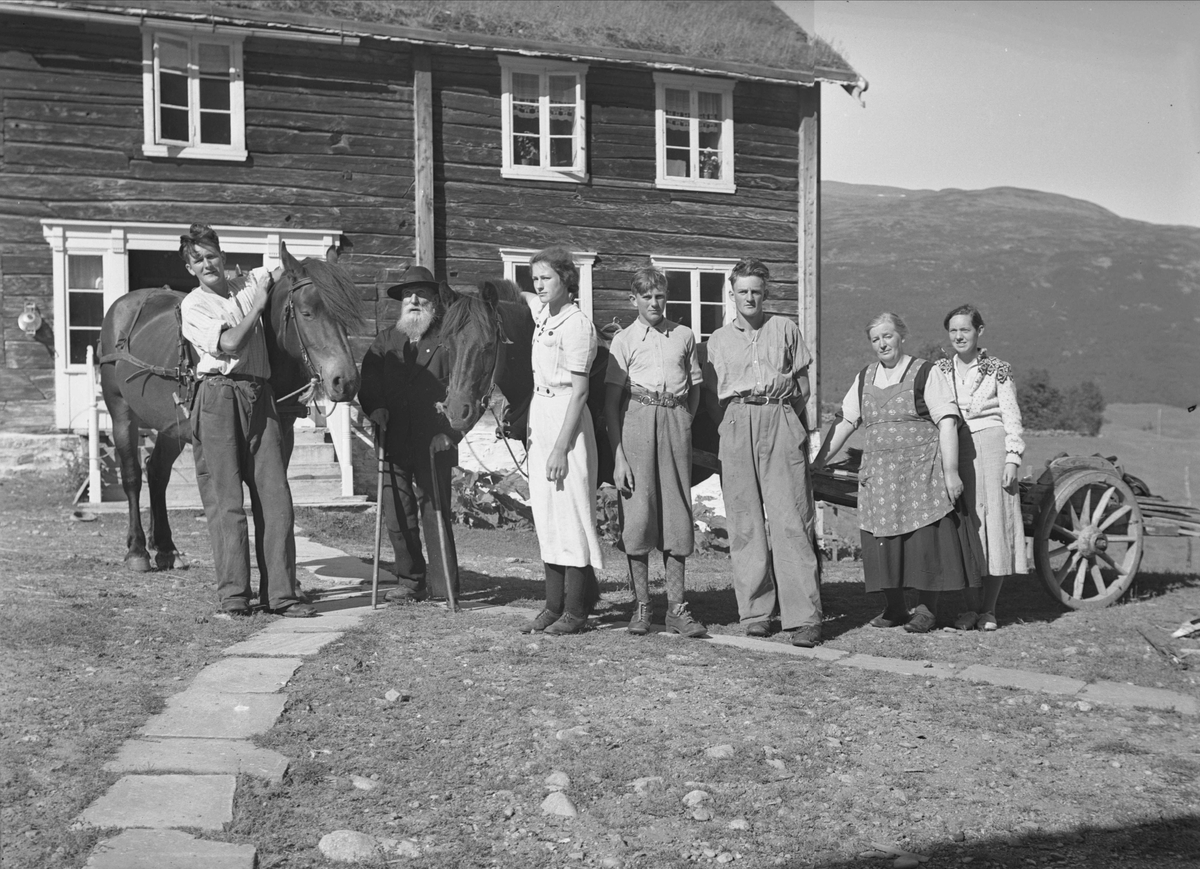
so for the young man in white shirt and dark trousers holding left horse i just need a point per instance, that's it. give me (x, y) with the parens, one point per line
(236, 431)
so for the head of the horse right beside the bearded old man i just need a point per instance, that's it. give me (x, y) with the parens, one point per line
(473, 337)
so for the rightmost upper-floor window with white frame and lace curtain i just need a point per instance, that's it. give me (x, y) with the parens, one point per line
(694, 119)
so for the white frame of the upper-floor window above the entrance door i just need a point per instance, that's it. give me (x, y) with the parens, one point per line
(153, 143)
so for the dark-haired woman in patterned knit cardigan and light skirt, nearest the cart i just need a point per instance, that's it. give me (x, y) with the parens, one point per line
(991, 451)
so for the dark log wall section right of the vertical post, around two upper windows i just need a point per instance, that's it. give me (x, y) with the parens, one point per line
(620, 213)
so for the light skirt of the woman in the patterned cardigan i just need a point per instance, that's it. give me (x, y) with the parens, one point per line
(995, 513)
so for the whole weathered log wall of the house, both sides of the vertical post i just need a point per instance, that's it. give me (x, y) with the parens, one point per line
(329, 130)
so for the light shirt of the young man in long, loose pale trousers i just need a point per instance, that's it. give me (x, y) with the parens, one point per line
(757, 362)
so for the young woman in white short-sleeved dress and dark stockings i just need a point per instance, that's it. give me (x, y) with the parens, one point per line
(563, 448)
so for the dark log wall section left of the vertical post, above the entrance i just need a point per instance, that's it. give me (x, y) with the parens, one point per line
(328, 129)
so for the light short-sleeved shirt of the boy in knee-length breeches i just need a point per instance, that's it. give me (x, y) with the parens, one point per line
(658, 359)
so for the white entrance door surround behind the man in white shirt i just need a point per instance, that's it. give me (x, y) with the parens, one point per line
(113, 242)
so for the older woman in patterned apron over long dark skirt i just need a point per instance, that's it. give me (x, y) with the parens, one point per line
(916, 534)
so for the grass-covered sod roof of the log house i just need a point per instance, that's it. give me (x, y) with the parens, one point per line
(743, 32)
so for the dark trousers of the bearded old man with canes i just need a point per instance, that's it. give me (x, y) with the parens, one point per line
(407, 510)
